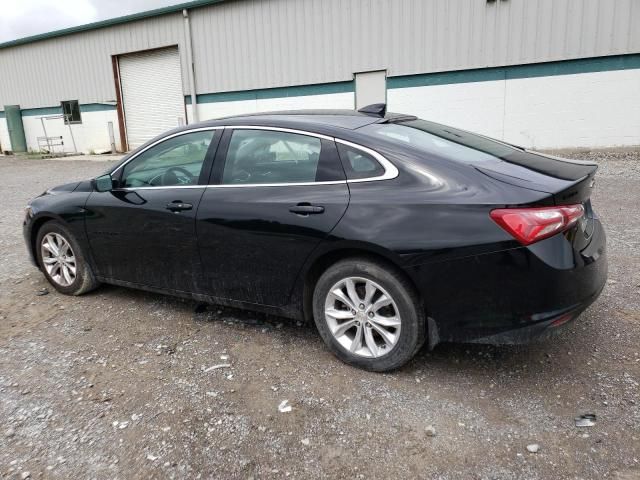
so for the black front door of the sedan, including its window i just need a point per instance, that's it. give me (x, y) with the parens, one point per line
(143, 231)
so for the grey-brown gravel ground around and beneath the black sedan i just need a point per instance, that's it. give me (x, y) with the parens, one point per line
(120, 384)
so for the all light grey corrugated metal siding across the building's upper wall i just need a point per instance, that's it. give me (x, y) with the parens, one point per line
(253, 44)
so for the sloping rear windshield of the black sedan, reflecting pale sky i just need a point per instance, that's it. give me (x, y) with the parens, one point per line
(441, 140)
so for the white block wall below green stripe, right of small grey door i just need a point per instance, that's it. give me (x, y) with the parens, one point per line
(599, 109)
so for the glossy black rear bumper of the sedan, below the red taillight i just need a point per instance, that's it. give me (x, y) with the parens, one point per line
(513, 296)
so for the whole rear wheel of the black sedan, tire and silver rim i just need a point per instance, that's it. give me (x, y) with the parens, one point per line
(368, 314)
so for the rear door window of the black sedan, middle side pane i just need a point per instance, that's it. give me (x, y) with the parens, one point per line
(265, 156)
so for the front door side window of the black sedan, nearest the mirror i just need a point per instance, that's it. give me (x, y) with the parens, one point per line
(174, 162)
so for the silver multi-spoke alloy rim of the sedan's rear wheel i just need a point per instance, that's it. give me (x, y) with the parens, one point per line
(362, 317)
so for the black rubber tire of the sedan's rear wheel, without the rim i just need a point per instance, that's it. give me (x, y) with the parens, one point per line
(413, 327)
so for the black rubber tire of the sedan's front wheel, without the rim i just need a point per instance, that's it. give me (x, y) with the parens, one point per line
(85, 280)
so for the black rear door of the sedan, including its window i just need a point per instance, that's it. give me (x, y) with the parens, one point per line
(277, 194)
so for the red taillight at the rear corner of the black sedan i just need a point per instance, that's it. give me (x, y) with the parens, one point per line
(529, 225)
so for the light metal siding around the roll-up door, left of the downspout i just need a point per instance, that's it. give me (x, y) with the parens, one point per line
(78, 66)
